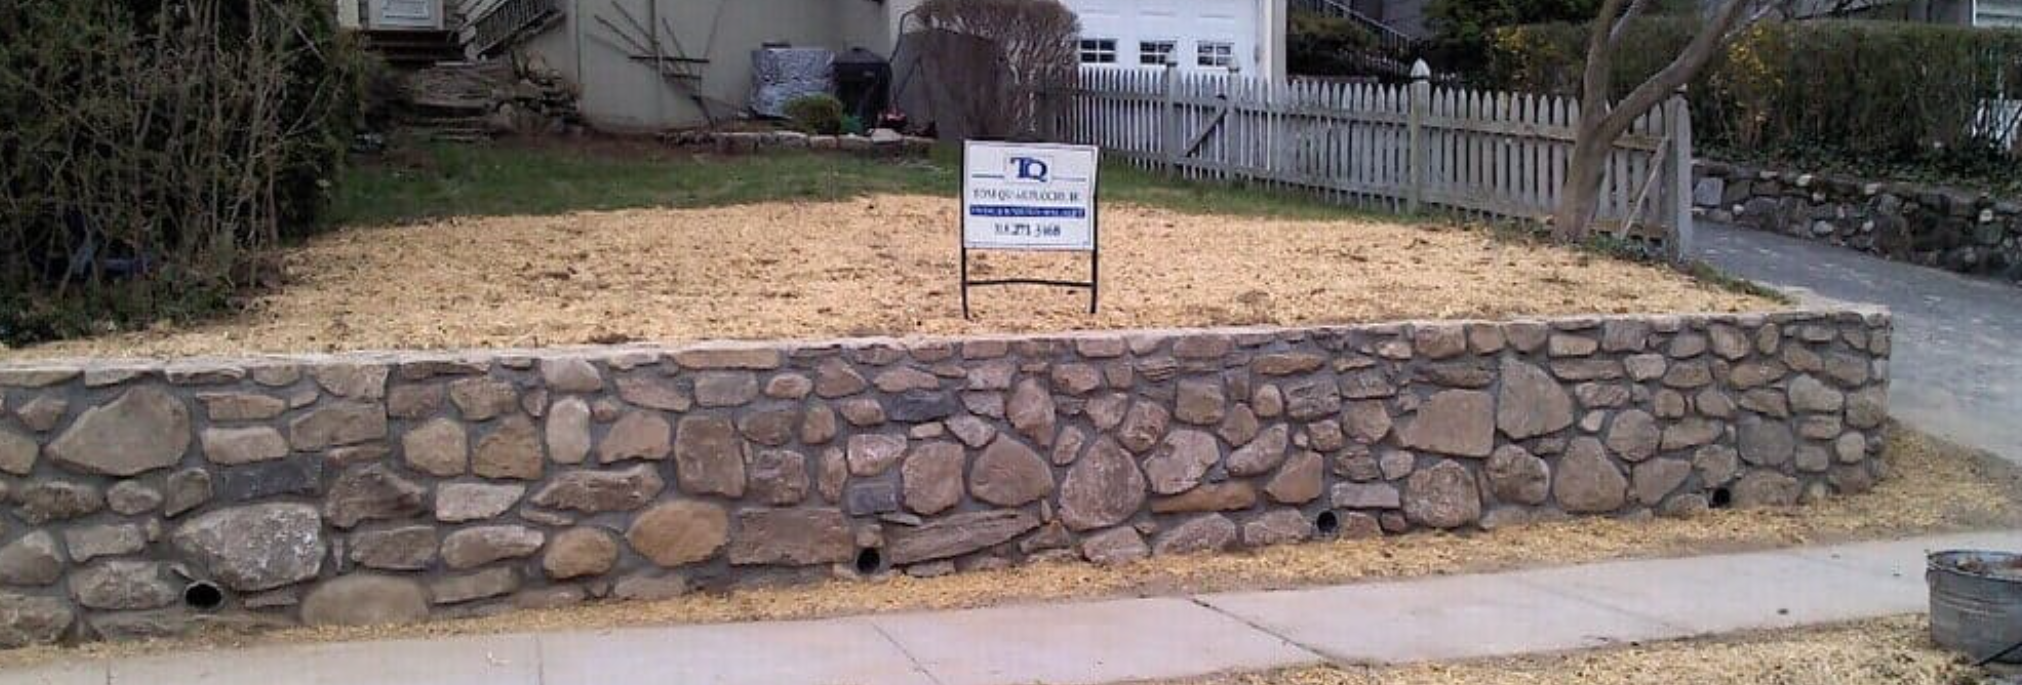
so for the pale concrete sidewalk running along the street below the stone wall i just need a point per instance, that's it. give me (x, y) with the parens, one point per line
(1433, 619)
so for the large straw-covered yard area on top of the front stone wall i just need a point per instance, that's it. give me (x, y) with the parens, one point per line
(883, 268)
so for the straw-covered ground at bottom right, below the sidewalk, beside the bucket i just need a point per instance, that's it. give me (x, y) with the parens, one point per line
(1890, 652)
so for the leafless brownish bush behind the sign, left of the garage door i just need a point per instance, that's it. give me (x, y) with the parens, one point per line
(1038, 41)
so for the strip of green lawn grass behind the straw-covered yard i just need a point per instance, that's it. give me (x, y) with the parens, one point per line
(436, 181)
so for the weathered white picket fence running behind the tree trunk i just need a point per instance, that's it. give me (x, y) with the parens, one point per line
(1392, 146)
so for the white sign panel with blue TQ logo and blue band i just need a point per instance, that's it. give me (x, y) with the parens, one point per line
(1026, 197)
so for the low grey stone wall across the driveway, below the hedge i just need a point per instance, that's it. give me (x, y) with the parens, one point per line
(1934, 227)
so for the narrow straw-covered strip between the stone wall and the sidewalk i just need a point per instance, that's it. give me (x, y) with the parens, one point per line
(1936, 488)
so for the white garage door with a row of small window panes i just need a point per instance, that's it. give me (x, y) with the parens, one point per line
(1206, 35)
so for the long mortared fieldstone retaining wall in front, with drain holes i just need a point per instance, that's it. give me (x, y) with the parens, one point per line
(147, 498)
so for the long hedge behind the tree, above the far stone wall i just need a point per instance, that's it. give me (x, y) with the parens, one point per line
(1883, 98)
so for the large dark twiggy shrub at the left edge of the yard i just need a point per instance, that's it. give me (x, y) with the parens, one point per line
(153, 151)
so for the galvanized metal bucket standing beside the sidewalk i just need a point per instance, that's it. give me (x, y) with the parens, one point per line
(1977, 603)
